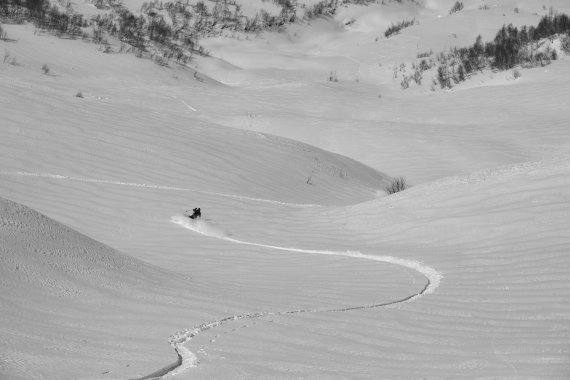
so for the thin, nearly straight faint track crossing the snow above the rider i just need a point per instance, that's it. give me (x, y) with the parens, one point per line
(150, 186)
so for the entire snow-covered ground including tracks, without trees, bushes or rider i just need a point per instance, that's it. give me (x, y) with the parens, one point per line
(302, 266)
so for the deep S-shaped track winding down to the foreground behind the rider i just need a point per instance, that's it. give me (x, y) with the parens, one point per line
(188, 359)
